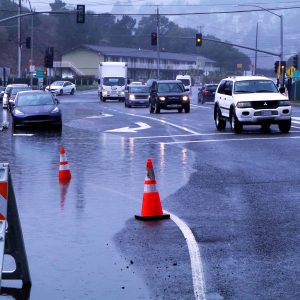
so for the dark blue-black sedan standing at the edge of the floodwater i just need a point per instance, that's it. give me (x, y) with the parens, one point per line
(36, 108)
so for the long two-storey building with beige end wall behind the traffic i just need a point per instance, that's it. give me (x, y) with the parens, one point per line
(142, 64)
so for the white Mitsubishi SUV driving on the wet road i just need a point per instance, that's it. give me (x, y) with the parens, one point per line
(251, 100)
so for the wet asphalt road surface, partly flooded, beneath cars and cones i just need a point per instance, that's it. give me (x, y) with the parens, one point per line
(239, 194)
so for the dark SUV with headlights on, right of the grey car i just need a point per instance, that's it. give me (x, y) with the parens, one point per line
(168, 94)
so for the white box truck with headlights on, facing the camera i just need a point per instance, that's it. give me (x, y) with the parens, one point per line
(112, 81)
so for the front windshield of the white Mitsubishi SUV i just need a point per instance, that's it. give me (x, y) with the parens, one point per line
(255, 86)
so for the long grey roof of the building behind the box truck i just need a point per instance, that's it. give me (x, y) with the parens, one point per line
(142, 53)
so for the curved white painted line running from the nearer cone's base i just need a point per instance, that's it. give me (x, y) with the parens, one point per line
(196, 264)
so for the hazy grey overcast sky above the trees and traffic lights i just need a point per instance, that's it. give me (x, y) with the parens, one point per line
(238, 28)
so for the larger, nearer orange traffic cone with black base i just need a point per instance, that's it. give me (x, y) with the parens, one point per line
(151, 208)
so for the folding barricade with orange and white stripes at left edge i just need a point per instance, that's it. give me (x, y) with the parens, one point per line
(11, 237)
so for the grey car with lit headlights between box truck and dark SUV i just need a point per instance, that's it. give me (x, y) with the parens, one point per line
(137, 95)
